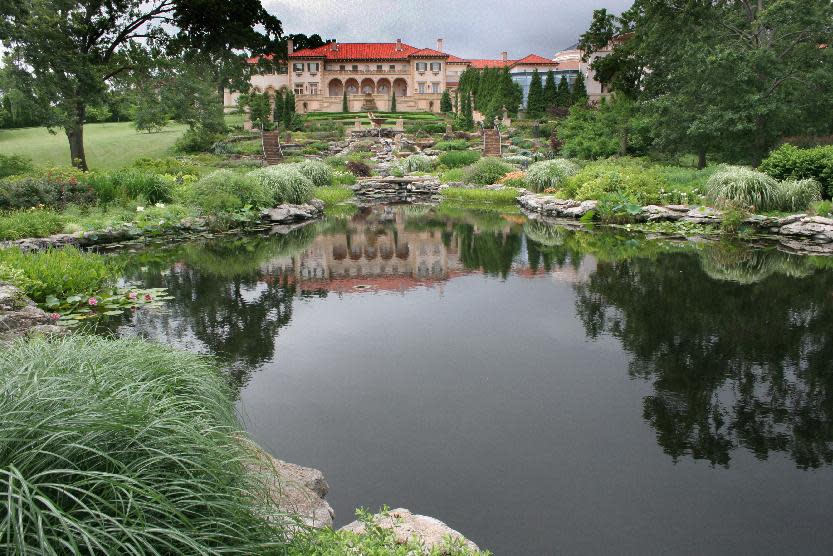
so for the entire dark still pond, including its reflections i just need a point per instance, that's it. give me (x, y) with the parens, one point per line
(541, 390)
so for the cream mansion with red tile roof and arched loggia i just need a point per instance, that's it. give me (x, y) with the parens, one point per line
(371, 73)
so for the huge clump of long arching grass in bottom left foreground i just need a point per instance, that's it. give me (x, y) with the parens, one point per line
(125, 447)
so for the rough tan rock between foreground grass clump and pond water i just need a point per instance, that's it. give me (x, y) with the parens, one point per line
(297, 490)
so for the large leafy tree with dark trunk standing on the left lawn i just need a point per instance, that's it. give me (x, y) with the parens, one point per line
(74, 49)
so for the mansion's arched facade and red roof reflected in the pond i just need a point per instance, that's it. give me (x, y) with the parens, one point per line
(375, 256)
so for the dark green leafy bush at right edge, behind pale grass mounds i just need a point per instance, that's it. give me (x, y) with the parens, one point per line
(790, 162)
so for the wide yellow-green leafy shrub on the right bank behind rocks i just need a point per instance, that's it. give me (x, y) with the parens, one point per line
(627, 182)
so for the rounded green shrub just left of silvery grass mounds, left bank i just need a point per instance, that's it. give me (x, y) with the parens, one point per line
(227, 191)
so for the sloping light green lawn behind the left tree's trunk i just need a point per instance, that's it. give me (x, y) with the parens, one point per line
(109, 145)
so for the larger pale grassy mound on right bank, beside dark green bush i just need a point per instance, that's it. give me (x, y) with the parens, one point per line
(737, 186)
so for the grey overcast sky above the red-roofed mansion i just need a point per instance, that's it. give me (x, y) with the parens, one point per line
(471, 28)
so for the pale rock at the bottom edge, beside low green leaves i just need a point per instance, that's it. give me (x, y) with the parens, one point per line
(406, 526)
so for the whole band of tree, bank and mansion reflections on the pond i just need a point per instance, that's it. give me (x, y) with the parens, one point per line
(735, 342)
